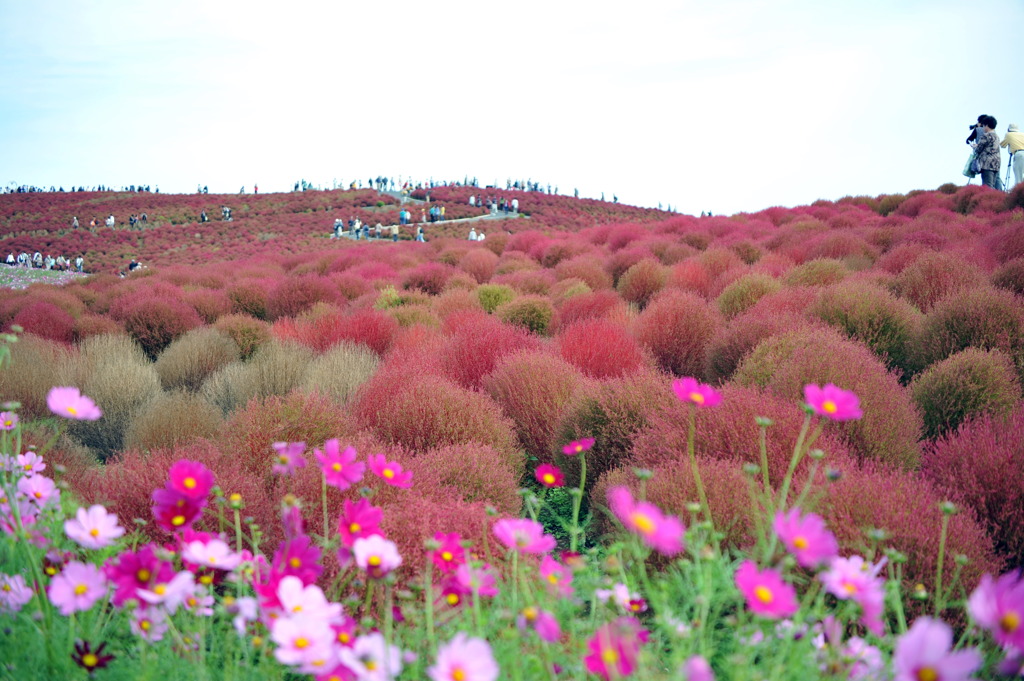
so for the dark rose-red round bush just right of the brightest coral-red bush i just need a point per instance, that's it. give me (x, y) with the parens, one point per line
(677, 328)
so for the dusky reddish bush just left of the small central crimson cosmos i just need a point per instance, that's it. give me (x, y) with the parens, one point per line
(472, 474)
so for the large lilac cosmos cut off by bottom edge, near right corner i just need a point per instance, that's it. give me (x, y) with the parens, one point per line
(924, 653)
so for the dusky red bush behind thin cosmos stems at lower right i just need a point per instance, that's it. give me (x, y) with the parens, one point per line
(908, 508)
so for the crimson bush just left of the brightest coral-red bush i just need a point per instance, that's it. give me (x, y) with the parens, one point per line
(475, 350)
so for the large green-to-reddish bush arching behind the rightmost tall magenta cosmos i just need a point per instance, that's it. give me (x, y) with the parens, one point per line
(785, 364)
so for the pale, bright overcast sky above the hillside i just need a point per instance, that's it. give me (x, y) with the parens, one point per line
(726, 107)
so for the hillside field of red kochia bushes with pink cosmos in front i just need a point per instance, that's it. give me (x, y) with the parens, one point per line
(604, 443)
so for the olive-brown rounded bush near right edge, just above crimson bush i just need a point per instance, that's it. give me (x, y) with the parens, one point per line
(966, 385)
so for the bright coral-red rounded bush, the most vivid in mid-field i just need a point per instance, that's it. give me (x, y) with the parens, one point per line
(601, 349)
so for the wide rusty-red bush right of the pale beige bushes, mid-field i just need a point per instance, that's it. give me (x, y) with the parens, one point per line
(428, 412)
